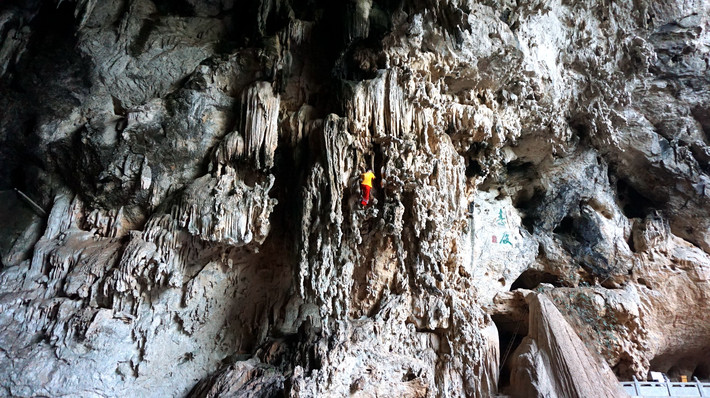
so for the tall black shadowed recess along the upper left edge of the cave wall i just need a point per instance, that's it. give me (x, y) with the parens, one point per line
(52, 81)
